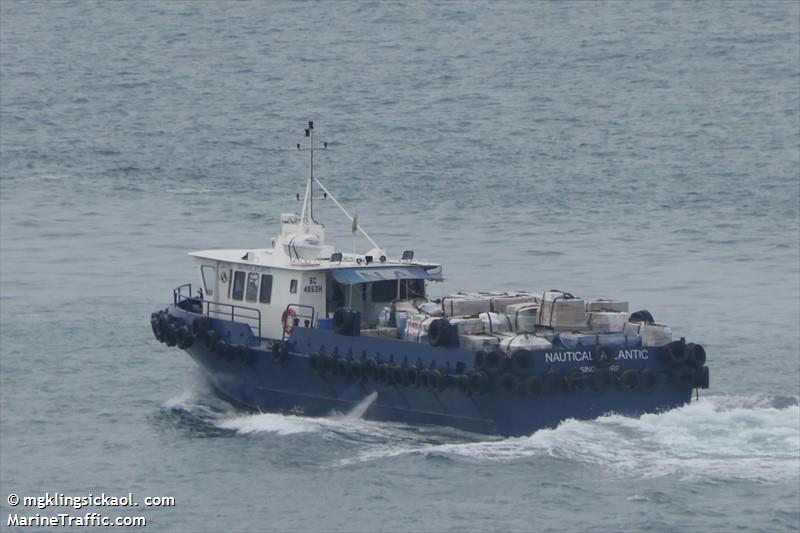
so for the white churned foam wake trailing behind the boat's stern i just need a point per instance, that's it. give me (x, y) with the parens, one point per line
(707, 439)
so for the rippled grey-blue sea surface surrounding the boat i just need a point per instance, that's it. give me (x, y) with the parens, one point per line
(648, 151)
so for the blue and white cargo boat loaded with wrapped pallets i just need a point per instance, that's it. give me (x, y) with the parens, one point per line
(300, 327)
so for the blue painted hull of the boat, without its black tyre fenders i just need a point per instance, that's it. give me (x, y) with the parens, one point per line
(255, 379)
